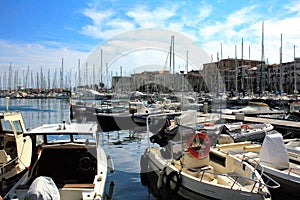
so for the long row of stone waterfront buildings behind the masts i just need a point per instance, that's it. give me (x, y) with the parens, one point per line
(227, 75)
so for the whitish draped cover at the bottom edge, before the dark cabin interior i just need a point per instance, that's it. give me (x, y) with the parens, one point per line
(42, 188)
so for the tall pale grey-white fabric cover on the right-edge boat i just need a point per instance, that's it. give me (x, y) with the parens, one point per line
(273, 152)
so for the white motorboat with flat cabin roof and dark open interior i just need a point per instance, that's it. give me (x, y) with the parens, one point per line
(67, 163)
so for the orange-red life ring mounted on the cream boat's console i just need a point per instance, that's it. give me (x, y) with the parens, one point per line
(199, 145)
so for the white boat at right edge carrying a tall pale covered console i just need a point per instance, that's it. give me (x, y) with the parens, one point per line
(274, 161)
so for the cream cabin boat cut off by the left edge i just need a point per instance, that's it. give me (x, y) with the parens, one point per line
(15, 149)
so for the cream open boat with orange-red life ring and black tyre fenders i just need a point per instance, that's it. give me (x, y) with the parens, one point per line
(187, 166)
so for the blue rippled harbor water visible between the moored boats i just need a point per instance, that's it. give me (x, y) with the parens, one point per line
(124, 147)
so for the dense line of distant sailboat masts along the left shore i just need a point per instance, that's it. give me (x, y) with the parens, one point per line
(13, 79)
